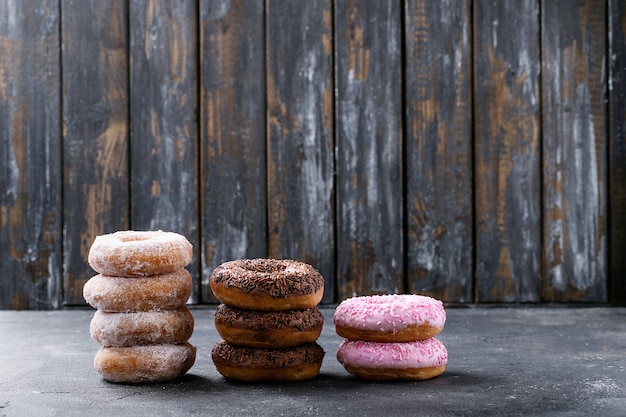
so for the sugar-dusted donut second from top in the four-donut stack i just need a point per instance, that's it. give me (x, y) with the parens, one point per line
(159, 292)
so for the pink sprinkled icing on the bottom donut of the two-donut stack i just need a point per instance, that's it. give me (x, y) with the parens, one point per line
(377, 355)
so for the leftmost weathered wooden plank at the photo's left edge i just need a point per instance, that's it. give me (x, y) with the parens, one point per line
(30, 156)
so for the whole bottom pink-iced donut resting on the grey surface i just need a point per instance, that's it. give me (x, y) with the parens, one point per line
(421, 359)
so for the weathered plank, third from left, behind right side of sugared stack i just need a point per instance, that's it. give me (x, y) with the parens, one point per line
(163, 111)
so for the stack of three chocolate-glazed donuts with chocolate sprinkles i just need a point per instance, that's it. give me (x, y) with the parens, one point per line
(268, 320)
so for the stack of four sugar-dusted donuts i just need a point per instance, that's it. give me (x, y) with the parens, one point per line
(142, 321)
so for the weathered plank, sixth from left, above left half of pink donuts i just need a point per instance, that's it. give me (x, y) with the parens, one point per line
(369, 147)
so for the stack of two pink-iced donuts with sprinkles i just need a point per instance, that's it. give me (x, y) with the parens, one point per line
(391, 336)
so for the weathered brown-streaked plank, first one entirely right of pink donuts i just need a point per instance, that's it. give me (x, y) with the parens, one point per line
(507, 161)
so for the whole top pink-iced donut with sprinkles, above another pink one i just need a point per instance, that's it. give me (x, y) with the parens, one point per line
(389, 318)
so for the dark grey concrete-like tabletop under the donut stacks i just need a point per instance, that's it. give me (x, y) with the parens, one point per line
(502, 362)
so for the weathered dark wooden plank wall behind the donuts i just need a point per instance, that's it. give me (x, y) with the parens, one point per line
(474, 151)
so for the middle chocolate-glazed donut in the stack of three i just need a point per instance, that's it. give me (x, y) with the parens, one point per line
(268, 329)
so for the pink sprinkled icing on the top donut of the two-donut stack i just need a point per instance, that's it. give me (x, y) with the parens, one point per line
(390, 313)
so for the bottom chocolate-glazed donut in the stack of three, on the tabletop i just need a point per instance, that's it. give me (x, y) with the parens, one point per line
(256, 364)
